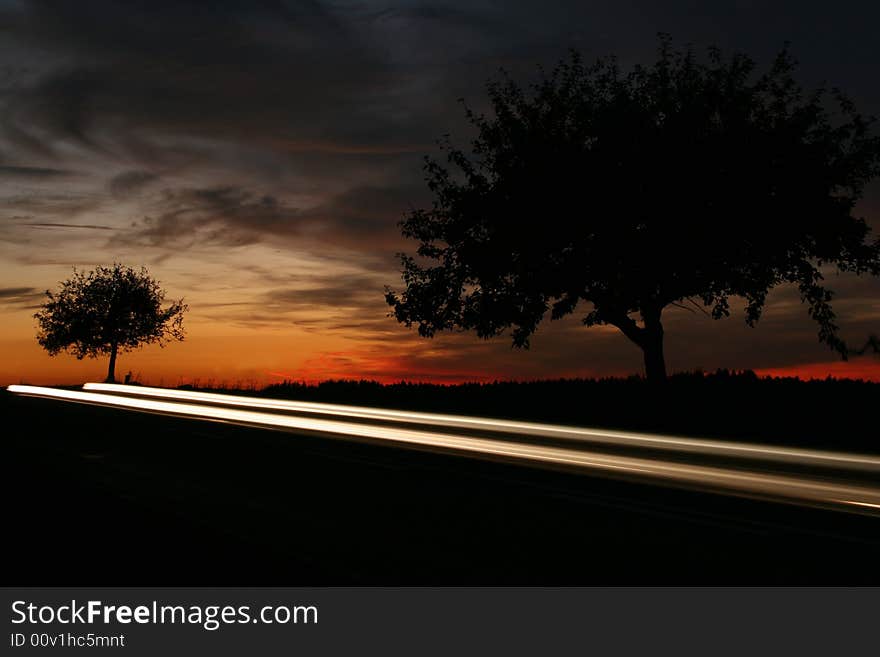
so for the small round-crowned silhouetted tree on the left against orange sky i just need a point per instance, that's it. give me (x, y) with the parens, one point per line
(107, 311)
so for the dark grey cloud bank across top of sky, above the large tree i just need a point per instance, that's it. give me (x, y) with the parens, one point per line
(350, 78)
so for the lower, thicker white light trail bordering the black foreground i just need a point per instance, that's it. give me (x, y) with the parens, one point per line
(791, 488)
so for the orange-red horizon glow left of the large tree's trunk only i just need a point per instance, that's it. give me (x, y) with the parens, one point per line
(241, 361)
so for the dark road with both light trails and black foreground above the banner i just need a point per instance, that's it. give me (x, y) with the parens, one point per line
(171, 493)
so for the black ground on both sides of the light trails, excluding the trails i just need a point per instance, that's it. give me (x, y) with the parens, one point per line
(102, 497)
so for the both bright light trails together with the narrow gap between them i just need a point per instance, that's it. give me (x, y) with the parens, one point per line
(835, 480)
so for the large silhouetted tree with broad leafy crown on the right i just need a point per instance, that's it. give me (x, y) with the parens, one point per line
(690, 181)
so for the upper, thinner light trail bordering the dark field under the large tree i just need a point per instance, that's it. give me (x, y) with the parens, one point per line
(797, 456)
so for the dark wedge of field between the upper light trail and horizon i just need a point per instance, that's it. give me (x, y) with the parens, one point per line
(832, 414)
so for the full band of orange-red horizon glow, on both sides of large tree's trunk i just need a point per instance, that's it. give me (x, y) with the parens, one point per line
(241, 360)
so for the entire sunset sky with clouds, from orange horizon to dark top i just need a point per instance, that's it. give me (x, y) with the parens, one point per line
(257, 157)
